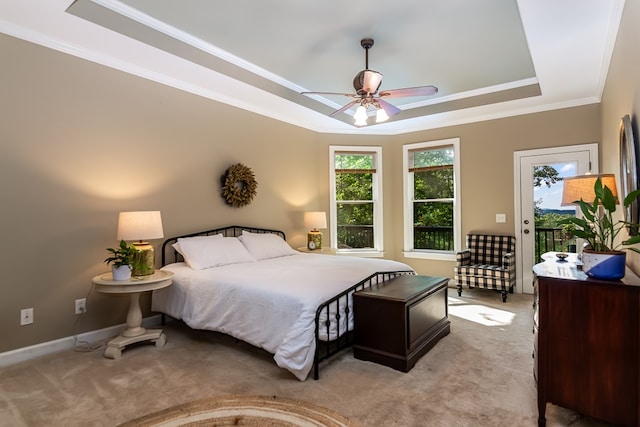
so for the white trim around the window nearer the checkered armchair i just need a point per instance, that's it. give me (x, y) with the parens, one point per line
(409, 252)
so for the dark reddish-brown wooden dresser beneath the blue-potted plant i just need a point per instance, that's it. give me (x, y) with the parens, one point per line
(586, 343)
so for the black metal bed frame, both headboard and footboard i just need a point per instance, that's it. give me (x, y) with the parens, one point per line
(337, 341)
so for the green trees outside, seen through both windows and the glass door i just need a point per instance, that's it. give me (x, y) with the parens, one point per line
(433, 211)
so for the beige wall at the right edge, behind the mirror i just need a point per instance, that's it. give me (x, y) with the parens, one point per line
(622, 96)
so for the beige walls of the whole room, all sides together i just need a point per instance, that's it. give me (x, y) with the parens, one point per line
(81, 142)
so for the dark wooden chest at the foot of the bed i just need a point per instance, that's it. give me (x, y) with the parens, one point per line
(397, 323)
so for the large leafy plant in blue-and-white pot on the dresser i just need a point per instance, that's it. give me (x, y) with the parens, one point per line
(603, 257)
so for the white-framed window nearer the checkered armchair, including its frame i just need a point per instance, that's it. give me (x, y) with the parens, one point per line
(431, 207)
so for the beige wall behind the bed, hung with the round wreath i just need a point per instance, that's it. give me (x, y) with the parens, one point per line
(81, 142)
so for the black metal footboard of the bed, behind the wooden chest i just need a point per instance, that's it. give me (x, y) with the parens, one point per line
(333, 310)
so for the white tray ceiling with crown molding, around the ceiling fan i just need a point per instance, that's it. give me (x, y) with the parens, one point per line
(489, 58)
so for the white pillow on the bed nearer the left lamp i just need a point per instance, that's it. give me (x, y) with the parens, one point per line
(207, 253)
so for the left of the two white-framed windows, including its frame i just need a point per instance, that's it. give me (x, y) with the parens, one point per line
(356, 198)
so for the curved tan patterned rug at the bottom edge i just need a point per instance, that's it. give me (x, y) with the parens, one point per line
(268, 411)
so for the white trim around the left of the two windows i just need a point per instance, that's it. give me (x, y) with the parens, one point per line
(378, 241)
